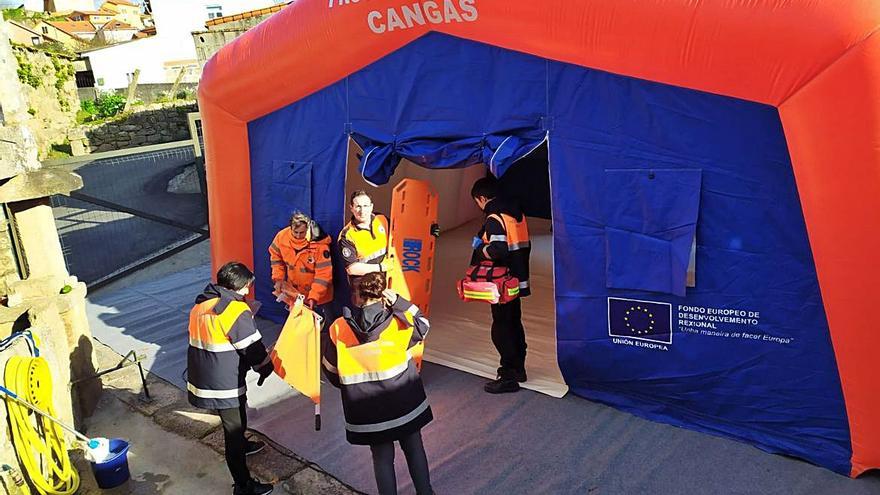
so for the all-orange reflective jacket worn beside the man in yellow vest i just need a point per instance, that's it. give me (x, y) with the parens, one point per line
(309, 269)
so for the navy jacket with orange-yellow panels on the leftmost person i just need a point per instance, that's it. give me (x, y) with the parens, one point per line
(223, 341)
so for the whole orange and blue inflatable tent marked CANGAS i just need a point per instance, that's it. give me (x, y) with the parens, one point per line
(713, 171)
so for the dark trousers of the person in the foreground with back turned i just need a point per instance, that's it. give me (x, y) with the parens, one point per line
(416, 462)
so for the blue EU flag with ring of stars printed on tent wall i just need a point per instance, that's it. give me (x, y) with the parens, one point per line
(642, 320)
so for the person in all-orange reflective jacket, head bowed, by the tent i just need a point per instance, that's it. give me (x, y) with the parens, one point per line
(301, 265)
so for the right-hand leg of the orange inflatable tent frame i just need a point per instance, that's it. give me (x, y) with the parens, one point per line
(833, 130)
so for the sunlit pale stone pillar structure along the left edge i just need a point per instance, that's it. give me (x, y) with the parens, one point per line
(36, 292)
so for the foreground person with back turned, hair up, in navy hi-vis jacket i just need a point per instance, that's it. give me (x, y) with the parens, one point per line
(368, 354)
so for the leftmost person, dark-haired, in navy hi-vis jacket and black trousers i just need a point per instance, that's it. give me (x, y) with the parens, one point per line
(223, 343)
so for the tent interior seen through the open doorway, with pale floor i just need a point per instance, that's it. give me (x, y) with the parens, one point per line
(460, 336)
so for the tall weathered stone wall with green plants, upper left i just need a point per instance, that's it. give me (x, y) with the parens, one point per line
(49, 89)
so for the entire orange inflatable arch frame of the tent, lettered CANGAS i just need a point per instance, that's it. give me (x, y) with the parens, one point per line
(816, 61)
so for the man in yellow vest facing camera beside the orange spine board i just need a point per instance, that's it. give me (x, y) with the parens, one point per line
(363, 243)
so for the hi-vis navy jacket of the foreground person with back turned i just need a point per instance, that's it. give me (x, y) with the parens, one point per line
(382, 393)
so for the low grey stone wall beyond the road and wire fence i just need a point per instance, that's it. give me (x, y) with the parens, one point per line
(153, 125)
